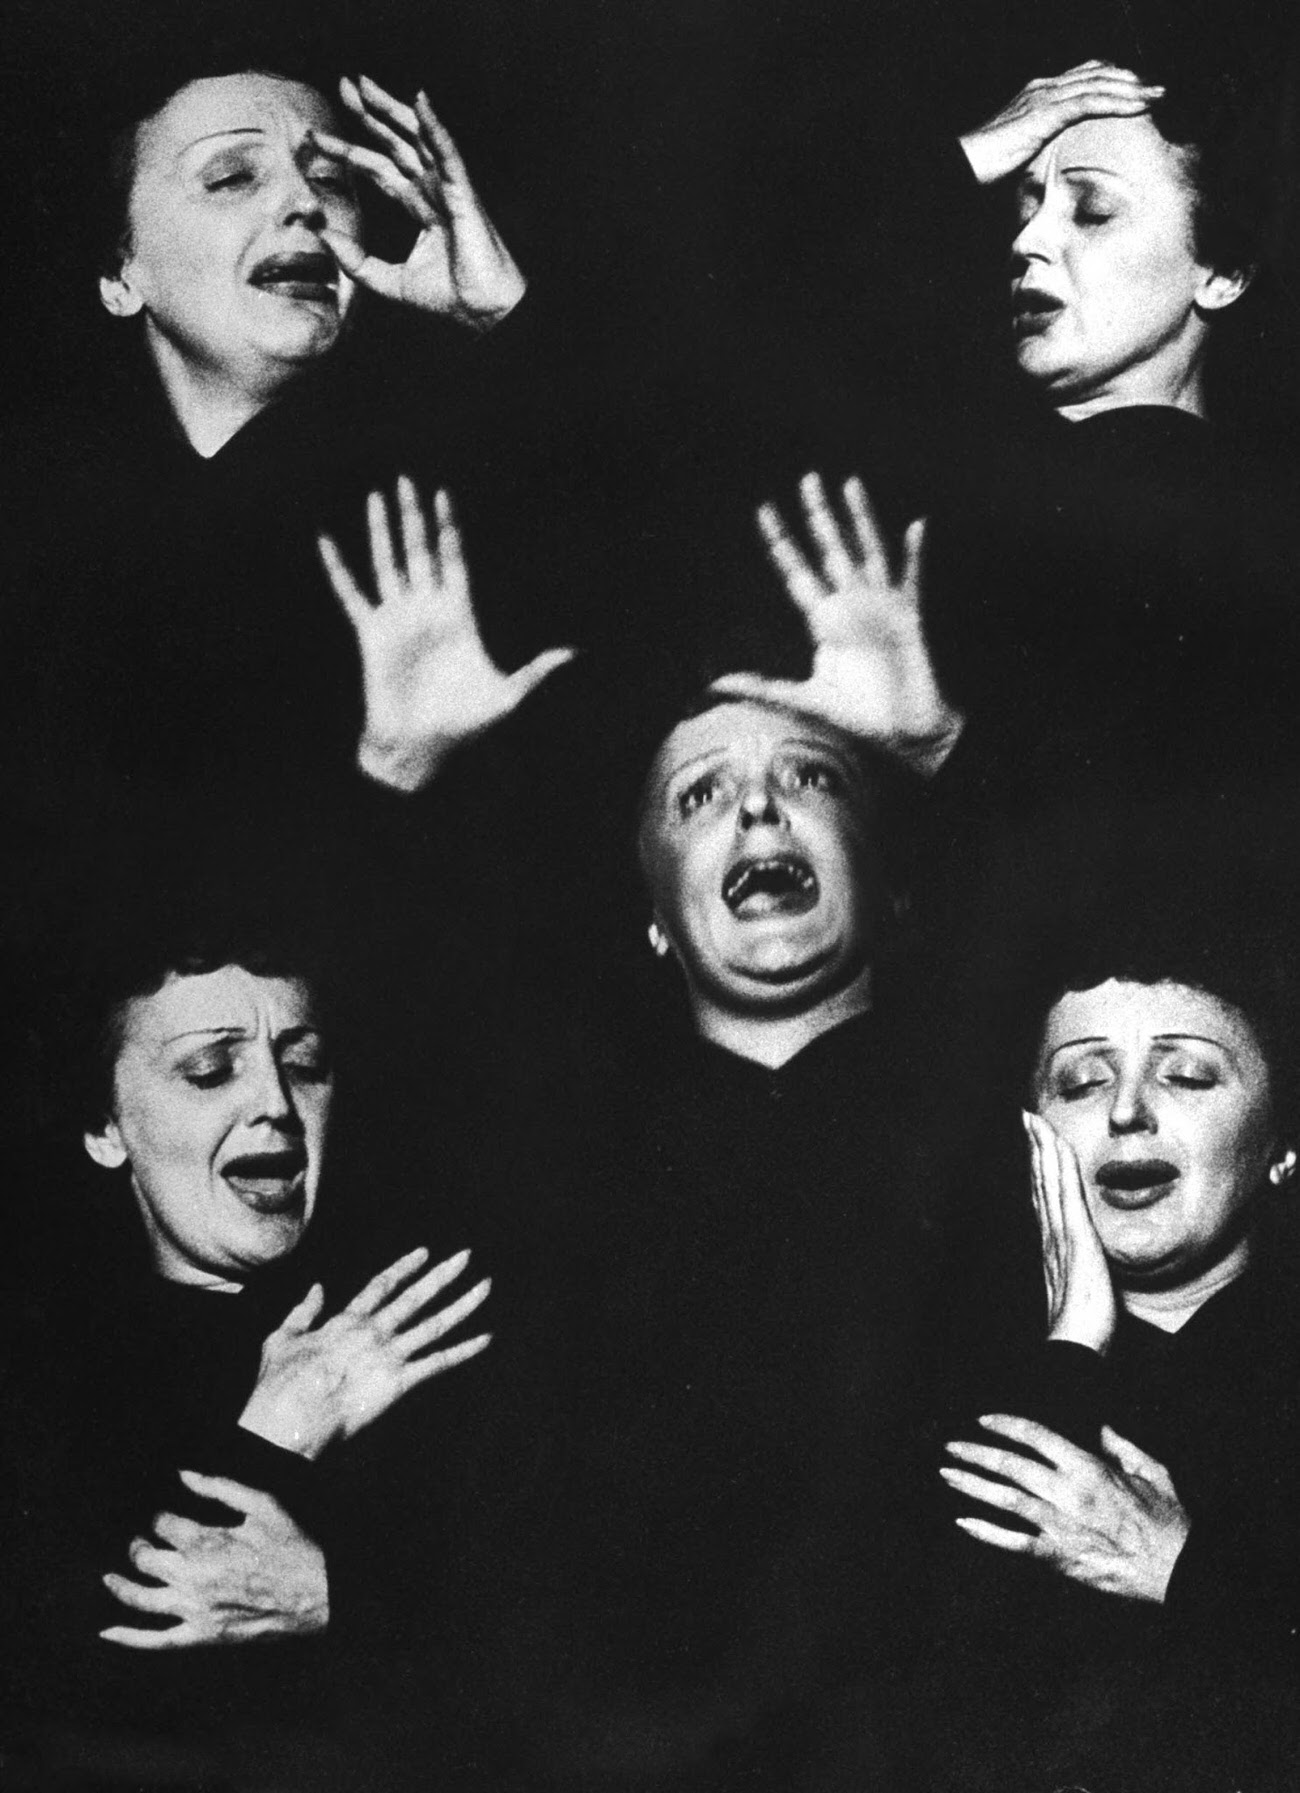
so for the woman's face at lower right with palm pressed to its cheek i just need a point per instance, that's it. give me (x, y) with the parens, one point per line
(1165, 1095)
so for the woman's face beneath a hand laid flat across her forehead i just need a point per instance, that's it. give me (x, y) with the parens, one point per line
(1107, 295)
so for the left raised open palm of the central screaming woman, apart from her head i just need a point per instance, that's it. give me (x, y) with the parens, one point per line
(429, 684)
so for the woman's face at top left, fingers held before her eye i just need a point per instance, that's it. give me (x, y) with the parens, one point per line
(227, 207)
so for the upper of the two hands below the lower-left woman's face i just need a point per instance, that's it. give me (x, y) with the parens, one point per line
(322, 1383)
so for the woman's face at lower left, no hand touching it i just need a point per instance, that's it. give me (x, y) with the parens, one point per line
(221, 1098)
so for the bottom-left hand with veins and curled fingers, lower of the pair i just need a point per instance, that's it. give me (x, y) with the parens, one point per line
(225, 1584)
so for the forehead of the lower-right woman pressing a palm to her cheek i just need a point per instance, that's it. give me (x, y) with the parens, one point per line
(1131, 1016)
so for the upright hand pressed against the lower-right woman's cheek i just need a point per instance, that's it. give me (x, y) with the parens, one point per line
(1080, 1294)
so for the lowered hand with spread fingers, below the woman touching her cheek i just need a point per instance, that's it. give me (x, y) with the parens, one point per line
(1113, 1523)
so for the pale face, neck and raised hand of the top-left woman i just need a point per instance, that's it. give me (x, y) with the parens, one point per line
(238, 171)
